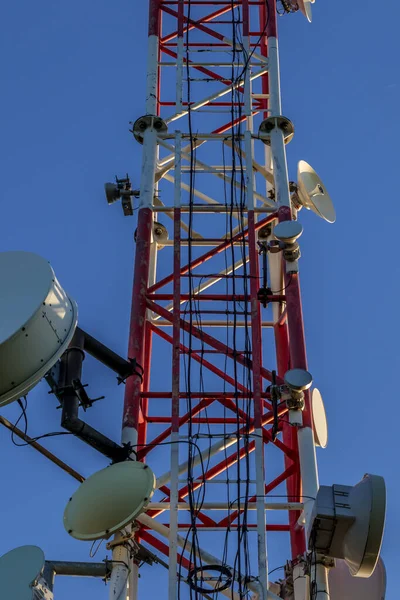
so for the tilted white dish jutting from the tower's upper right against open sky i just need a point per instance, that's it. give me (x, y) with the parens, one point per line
(313, 194)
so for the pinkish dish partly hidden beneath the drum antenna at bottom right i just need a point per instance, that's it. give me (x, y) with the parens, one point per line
(343, 586)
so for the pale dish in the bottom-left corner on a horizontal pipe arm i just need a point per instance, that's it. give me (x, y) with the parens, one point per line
(19, 571)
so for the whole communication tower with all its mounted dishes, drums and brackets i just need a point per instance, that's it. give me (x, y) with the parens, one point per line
(216, 461)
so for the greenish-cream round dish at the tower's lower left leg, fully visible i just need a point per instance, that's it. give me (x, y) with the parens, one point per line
(109, 500)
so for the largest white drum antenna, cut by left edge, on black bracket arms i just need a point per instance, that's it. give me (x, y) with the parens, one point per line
(37, 323)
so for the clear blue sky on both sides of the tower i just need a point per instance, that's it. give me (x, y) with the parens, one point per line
(72, 78)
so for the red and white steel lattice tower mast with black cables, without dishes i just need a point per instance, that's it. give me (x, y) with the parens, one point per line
(234, 457)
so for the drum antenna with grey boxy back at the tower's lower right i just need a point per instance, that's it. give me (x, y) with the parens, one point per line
(348, 522)
